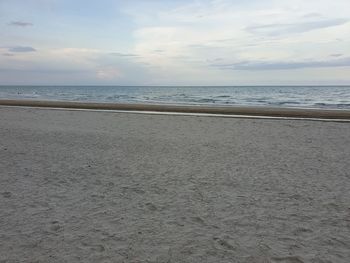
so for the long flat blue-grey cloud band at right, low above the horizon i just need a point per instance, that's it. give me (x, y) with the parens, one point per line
(261, 65)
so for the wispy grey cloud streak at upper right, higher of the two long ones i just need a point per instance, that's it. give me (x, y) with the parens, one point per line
(281, 29)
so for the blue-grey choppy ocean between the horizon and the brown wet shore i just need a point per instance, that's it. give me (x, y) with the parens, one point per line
(333, 97)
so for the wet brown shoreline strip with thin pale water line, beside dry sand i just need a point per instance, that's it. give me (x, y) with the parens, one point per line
(222, 110)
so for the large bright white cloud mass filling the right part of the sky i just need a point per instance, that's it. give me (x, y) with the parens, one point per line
(194, 34)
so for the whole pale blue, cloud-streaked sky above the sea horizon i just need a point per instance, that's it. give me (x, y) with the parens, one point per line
(174, 42)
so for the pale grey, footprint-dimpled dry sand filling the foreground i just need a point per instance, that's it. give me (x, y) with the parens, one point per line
(81, 186)
